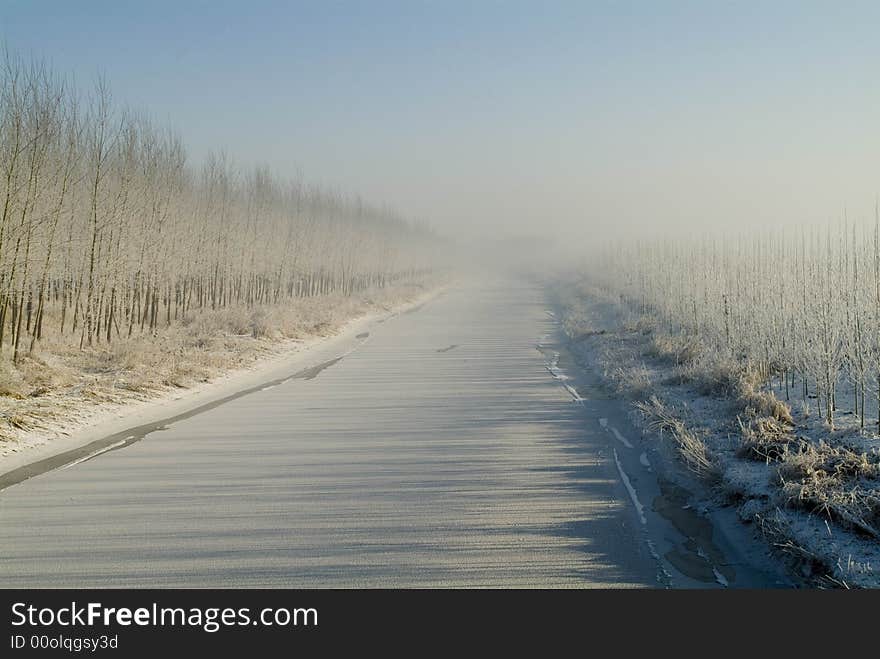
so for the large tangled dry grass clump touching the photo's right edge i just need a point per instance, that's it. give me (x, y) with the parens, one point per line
(834, 481)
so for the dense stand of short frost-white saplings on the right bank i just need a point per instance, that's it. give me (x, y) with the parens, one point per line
(801, 305)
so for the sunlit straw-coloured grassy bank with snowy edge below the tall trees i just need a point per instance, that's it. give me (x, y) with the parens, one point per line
(182, 369)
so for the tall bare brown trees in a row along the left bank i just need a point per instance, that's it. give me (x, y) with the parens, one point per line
(106, 231)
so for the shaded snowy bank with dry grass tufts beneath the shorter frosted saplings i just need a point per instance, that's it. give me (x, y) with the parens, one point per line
(810, 492)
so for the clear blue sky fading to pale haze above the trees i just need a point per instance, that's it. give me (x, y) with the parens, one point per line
(593, 117)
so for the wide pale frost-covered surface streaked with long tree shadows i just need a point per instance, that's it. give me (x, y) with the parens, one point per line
(440, 452)
